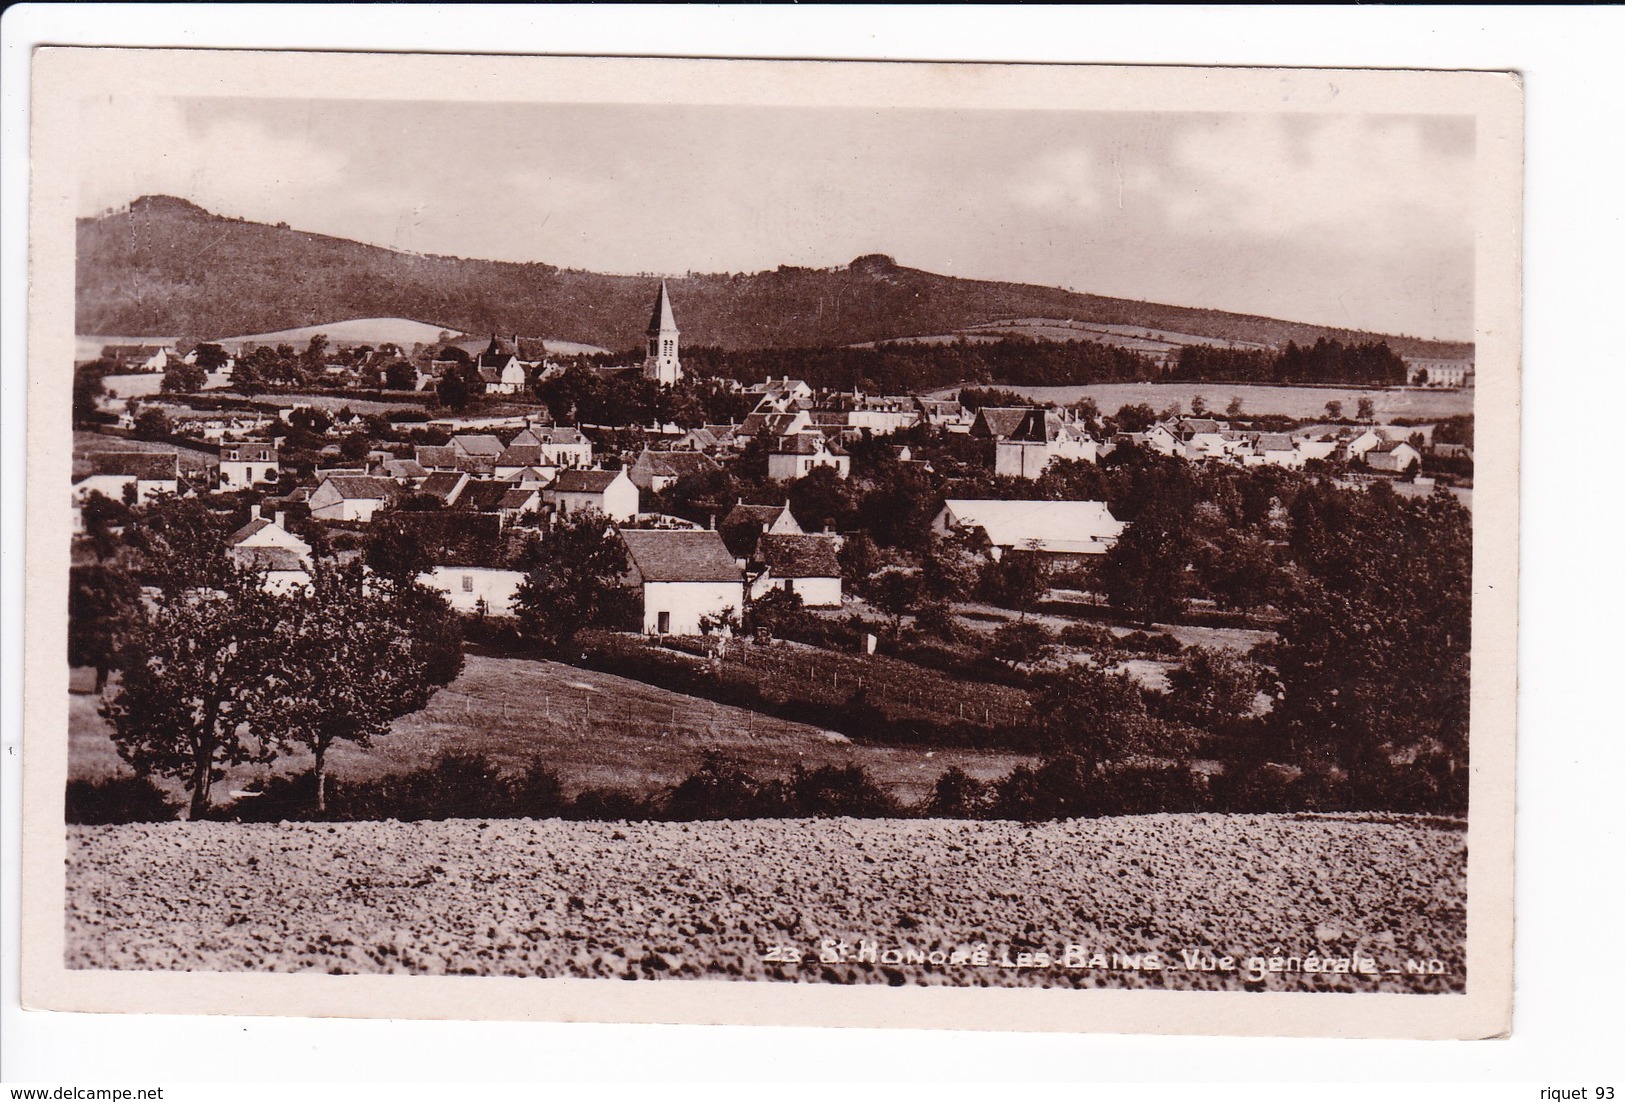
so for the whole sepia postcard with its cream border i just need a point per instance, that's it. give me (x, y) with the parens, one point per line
(774, 526)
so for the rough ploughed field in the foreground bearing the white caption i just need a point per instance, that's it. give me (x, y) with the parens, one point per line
(714, 900)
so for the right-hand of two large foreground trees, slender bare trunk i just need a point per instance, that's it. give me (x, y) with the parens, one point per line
(350, 664)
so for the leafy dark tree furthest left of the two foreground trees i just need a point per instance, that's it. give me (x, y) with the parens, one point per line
(197, 675)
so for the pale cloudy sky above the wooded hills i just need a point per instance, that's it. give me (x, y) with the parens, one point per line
(1356, 222)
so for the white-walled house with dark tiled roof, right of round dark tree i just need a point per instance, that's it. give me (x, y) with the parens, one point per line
(682, 576)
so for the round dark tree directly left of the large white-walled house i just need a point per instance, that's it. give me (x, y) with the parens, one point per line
(573, 581)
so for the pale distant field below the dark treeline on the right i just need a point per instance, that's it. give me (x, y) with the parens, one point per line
(1294, 402)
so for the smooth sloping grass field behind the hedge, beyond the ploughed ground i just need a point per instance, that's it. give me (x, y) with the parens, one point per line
(592, 729)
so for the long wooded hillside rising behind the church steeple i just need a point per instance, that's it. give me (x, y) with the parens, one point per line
(167, 266)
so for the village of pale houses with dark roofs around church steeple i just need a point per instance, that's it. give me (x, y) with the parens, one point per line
(526, 472)
